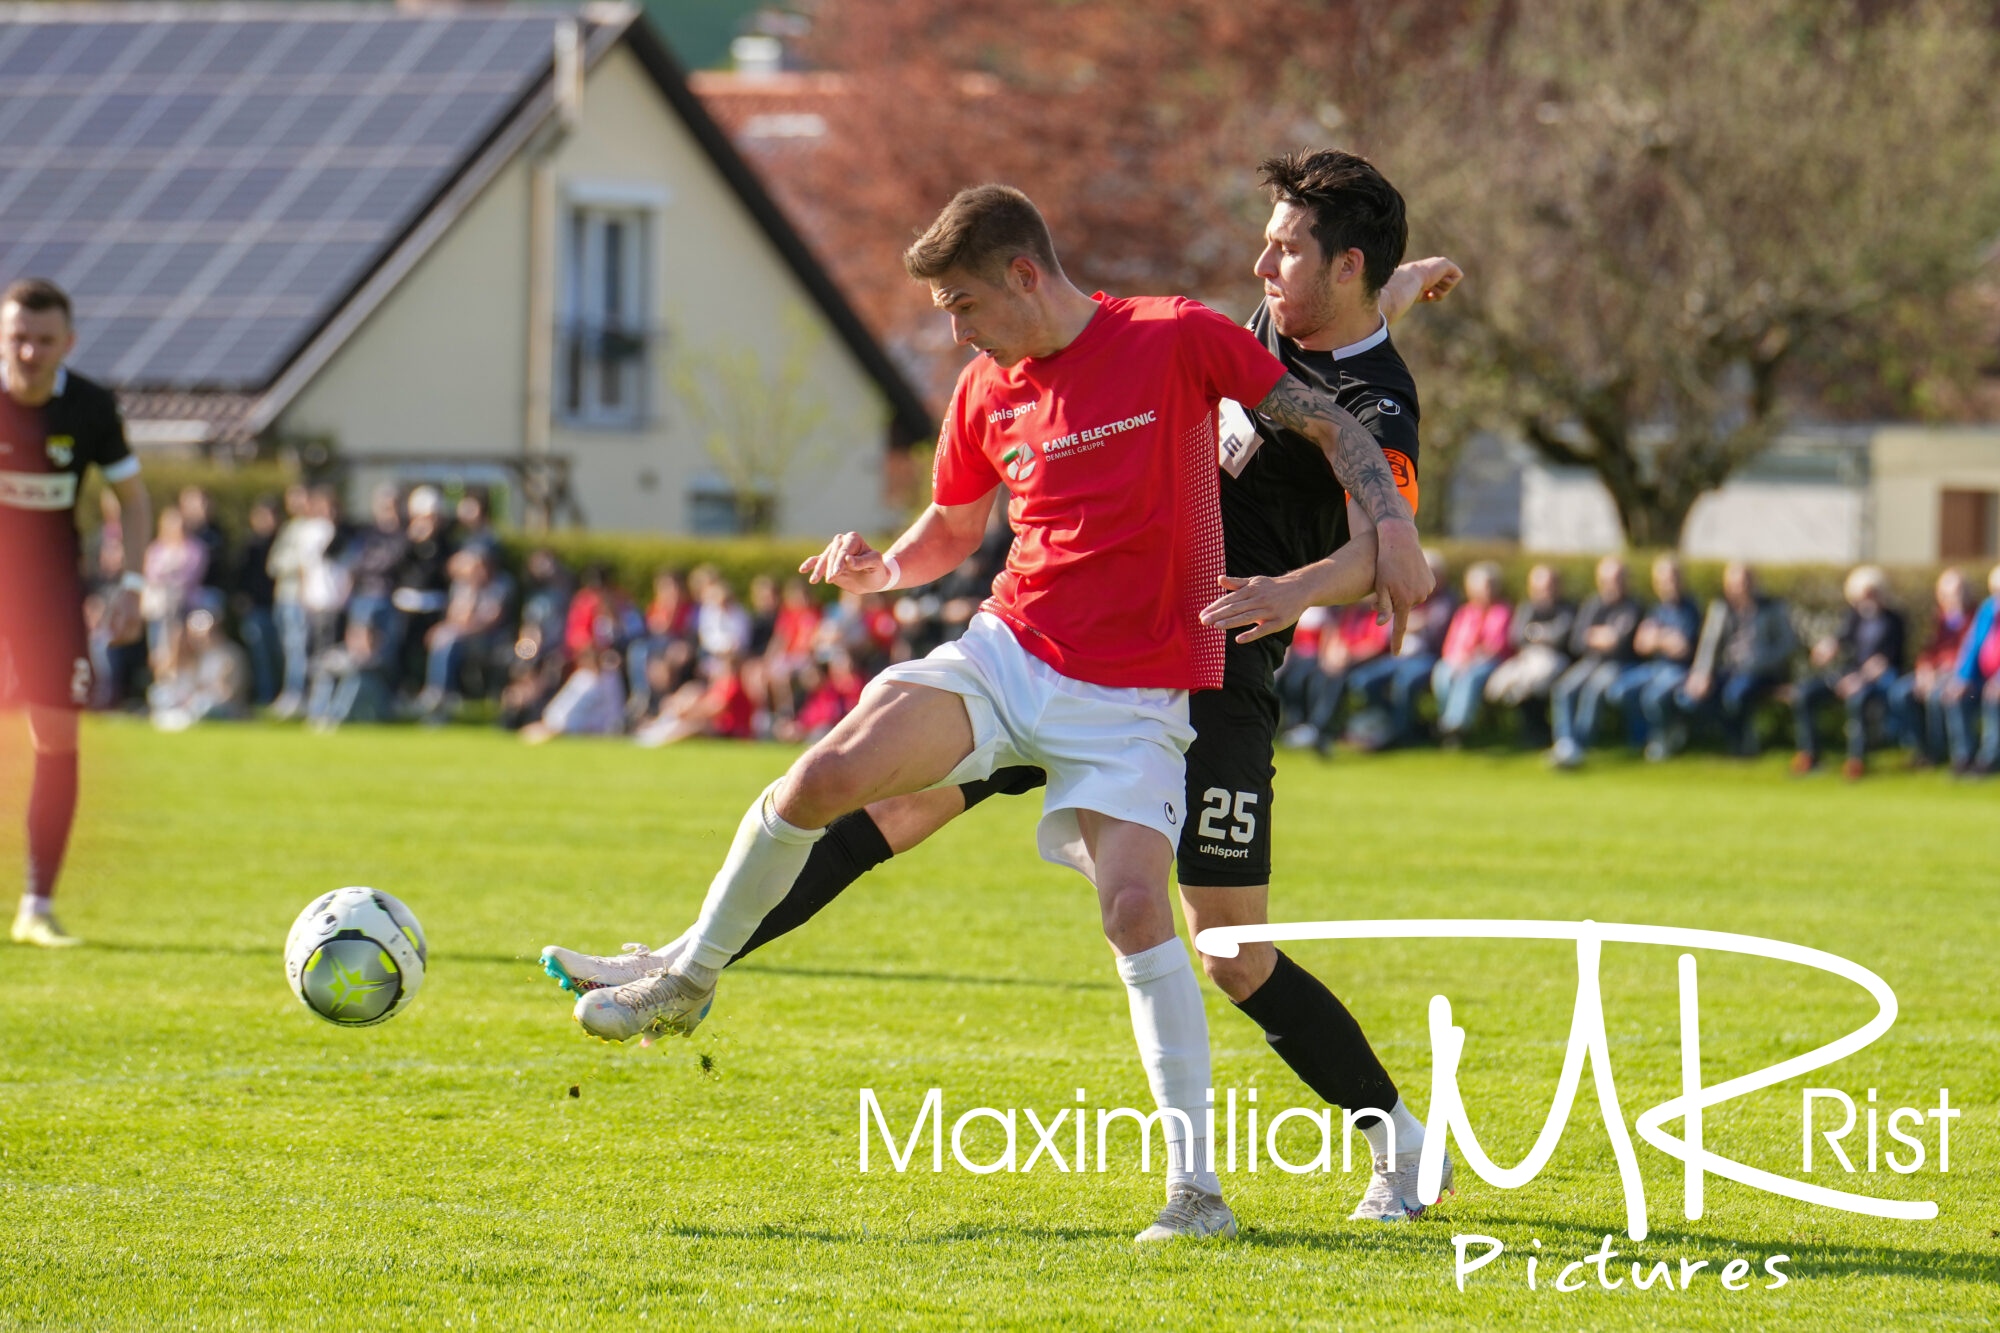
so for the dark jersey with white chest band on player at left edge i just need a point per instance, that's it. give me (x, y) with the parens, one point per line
(43, 457)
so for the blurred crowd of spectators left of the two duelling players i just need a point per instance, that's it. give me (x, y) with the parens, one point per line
(415, 613)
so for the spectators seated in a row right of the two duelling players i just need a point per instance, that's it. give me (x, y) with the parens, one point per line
(1657, 676)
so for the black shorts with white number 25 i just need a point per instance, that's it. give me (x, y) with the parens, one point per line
(1227, 842)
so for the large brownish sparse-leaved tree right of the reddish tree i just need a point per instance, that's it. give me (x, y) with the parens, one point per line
(1671, 213)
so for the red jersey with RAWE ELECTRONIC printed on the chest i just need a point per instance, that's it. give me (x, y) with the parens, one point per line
(1109, 455)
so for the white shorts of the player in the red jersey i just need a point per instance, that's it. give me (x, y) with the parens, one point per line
(1109, 750)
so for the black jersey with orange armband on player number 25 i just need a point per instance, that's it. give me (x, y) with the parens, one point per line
(1281, 503)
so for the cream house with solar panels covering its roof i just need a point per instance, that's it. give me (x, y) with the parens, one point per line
(497, 245)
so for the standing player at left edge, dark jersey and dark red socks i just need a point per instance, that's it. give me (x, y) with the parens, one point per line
(55, 425)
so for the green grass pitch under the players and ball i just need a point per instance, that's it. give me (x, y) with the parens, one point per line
(185, 1146)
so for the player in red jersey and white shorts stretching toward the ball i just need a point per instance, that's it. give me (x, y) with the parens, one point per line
(1097, 415)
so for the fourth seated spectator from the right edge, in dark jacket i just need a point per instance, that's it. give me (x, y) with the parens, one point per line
(1741, 661)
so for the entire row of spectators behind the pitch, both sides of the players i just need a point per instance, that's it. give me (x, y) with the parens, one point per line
(415, 613)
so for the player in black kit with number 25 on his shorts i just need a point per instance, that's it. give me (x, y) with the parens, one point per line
(1293, 541)
